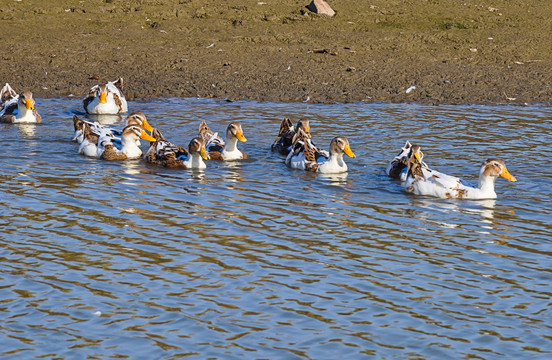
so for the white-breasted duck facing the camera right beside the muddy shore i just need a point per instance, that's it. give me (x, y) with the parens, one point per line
(106, 99)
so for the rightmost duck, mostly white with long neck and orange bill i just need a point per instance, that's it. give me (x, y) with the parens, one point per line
(424, 181)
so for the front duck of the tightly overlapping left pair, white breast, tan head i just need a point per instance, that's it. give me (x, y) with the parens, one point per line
(130, 149)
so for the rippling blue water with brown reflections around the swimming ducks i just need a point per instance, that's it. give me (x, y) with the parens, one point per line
(253, 260)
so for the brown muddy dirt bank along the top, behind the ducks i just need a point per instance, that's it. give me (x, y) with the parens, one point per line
(454, 52)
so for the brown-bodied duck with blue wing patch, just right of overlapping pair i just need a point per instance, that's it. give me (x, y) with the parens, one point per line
(164, 153)
